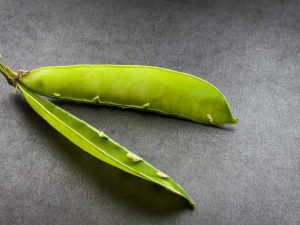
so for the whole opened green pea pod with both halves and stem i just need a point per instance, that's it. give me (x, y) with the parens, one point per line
(140, 87)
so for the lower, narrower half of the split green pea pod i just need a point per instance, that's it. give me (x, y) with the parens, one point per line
(98, 144)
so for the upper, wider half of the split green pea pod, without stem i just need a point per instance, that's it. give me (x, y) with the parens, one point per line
(140, 87)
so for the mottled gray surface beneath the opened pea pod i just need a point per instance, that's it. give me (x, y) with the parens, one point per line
(246, 174)
